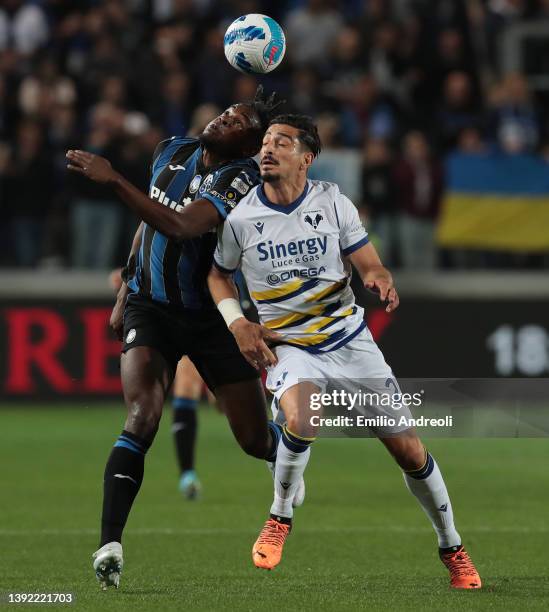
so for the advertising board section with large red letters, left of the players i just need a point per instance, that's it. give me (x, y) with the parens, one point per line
(58, 349)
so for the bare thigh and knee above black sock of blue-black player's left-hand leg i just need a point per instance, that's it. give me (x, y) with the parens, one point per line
(146, 378)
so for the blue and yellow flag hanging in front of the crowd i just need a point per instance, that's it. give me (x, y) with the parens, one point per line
(496, 202)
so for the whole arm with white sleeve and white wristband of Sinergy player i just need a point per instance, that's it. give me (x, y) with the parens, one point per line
(250, 337)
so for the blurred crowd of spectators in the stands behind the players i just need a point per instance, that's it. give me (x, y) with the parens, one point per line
(394, 85)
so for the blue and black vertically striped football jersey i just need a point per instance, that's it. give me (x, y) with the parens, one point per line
(175, 272)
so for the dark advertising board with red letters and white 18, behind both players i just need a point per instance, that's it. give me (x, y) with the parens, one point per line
(65, 349)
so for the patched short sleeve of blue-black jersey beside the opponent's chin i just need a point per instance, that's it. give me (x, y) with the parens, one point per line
(228, 187)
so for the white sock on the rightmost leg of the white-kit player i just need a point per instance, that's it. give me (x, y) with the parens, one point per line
(428, 486)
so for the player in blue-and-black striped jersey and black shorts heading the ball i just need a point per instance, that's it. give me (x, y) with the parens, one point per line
(164, 309)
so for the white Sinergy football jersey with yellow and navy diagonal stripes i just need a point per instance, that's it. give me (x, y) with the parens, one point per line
(292, 260)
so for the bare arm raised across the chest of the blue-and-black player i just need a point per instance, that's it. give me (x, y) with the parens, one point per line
(194, 220)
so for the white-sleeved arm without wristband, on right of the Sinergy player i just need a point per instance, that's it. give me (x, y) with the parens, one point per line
(355, 245)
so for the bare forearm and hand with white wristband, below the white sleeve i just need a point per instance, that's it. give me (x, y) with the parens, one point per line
(250, 337)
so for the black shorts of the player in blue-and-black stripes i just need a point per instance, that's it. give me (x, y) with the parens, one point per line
(174, 332)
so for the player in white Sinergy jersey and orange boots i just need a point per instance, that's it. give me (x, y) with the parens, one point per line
(293, 239)
